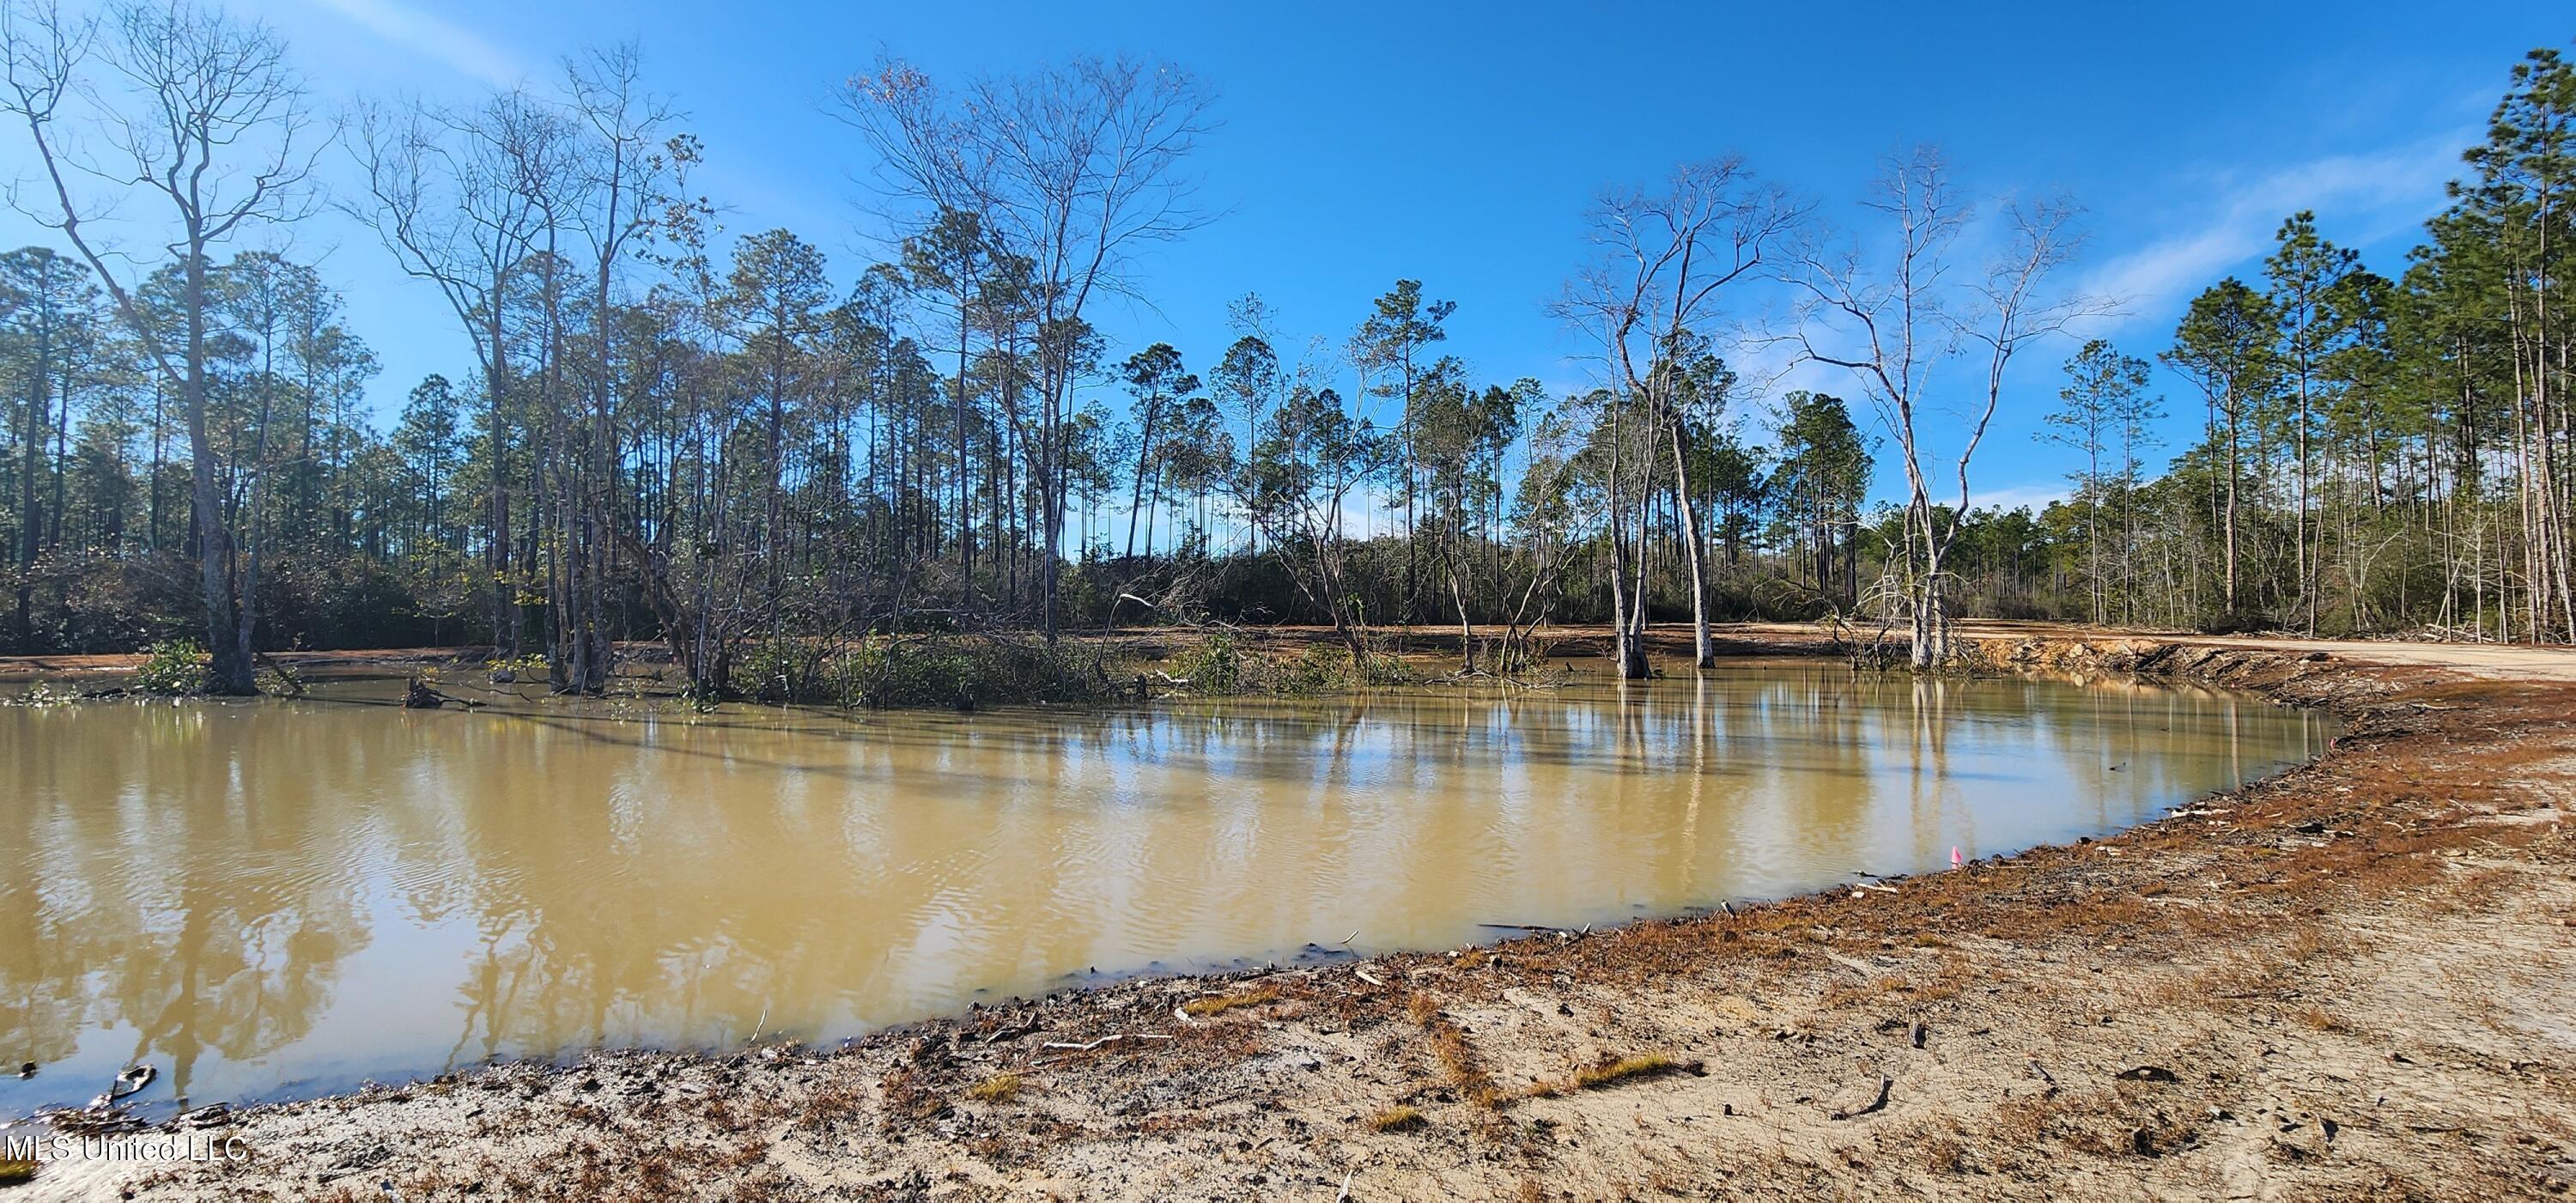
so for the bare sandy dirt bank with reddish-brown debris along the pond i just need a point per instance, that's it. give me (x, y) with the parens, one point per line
(2351, 980)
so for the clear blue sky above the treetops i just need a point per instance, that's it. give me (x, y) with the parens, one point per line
(1459, 143)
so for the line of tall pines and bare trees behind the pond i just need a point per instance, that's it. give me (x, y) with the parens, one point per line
(766, 462)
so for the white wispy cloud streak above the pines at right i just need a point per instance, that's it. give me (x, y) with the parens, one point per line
(2361, 197)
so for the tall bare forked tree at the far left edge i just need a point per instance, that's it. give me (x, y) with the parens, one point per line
(200, 86)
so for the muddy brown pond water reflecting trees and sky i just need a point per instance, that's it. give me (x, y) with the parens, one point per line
(282, 898)
